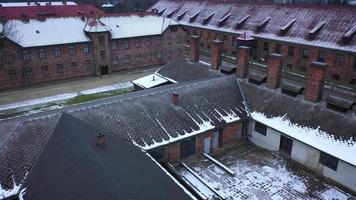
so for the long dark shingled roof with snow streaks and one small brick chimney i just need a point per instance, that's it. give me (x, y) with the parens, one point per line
(135, 117)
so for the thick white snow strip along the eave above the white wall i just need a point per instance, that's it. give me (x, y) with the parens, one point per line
(344, 150)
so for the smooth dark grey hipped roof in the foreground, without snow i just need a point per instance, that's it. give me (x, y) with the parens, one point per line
(72, 166)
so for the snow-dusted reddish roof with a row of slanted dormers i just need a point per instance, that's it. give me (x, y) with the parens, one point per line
(338, 20)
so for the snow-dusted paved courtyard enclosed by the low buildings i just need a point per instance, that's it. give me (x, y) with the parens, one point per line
(258, 174)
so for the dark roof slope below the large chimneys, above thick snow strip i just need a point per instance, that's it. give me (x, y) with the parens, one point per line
(273, 104)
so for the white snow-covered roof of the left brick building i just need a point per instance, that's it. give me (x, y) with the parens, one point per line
(71, 29)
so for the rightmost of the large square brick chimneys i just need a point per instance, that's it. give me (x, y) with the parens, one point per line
(315, 81)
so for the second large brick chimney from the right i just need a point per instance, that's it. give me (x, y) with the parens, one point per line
(274, 70)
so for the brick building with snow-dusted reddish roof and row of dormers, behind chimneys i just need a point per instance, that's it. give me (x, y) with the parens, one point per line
(301, 33)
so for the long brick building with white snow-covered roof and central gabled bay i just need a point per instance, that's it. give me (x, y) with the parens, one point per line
(42, 50)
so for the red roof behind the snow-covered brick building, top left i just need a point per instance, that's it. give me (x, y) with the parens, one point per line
(39, 12)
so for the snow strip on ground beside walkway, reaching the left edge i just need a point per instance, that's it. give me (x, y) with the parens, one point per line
(38, 101)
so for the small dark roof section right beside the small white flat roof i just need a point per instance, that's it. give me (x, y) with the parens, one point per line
(184, 70)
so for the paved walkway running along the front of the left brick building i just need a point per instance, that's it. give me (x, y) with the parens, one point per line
(73, 85)
